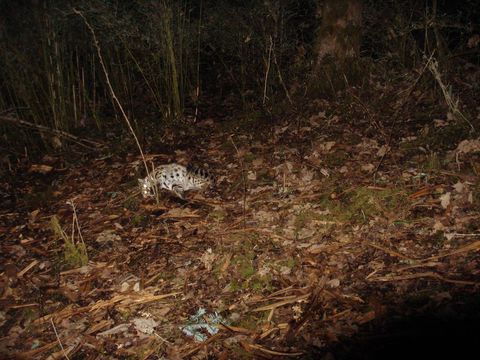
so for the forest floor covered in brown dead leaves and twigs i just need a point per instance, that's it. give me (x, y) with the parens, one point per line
(332, 233)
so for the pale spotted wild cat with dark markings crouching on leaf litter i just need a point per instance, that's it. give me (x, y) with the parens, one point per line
(176, 178)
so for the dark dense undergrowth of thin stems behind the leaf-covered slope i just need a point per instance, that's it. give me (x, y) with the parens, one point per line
(173, 62)
